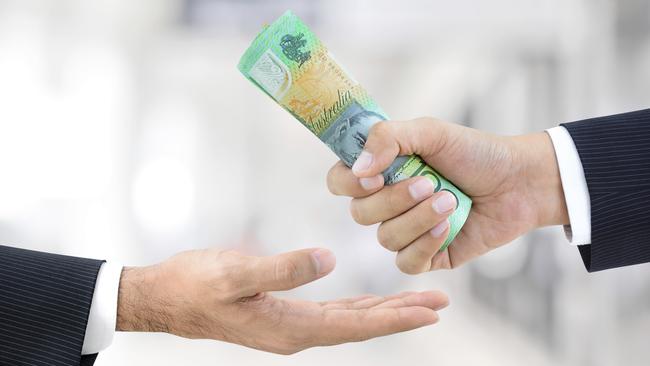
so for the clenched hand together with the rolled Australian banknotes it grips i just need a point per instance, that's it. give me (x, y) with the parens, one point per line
(511, 185)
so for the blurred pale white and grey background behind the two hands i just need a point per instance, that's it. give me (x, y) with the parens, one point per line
(127, 133)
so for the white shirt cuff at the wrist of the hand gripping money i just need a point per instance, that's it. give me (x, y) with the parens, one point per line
(574, 184)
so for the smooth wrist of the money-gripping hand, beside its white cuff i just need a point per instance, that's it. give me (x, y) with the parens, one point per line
(542, 179)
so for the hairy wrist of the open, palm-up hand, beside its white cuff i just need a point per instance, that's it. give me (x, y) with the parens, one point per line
(139, 308)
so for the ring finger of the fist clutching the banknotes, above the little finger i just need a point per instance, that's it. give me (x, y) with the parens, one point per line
(397, 233)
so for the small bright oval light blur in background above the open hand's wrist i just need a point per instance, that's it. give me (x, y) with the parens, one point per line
(163, 196)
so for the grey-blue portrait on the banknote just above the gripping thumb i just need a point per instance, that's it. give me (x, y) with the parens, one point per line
(348, 134)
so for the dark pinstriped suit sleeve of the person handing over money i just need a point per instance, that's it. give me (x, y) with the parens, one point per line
(615, 155)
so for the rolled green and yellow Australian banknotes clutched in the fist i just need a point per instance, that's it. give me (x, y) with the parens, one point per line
(293, 67)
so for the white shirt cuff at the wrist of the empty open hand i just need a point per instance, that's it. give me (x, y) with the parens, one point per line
(103, 311)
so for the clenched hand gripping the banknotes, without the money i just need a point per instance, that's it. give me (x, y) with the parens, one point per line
(514, 183)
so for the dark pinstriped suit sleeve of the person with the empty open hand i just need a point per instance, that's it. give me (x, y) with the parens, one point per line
(44, 305)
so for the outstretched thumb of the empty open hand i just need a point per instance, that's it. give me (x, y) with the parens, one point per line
(290, 270)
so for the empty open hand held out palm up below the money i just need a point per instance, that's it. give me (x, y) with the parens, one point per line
(222, 295)
